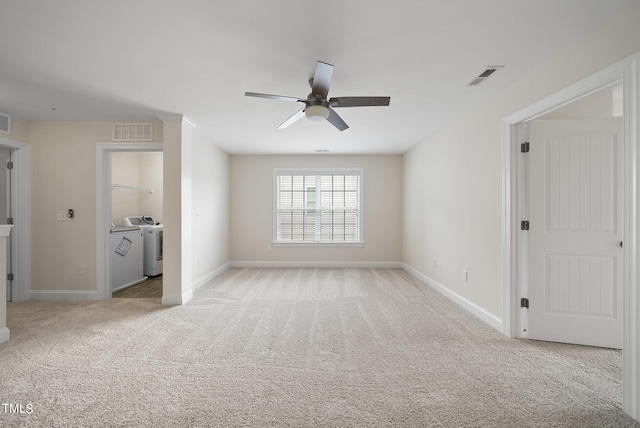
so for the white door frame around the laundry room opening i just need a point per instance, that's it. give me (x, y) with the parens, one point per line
(103, 207)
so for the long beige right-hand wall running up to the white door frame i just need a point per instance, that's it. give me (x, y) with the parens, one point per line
(453, 204)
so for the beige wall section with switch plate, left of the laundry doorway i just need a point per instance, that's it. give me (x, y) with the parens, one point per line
(63, 176)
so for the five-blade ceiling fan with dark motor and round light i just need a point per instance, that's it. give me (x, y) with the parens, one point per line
(316, 105)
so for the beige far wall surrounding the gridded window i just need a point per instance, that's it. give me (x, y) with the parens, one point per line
(252, 209)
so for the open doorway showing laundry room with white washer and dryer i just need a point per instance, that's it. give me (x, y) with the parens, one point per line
(129, 188)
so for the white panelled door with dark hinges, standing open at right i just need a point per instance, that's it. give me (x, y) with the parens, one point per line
(575, 231)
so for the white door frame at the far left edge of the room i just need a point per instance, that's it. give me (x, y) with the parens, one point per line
(21, 207)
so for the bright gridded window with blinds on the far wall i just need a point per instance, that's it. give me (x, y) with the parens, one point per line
(318, 206)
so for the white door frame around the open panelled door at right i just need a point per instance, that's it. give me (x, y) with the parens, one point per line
(625, 72)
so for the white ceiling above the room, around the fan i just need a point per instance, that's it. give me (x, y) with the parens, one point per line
(130, 60)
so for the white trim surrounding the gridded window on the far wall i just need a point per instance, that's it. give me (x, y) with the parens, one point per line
(318, 171)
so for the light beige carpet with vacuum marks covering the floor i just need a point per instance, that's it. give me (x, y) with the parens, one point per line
(296, 348)
